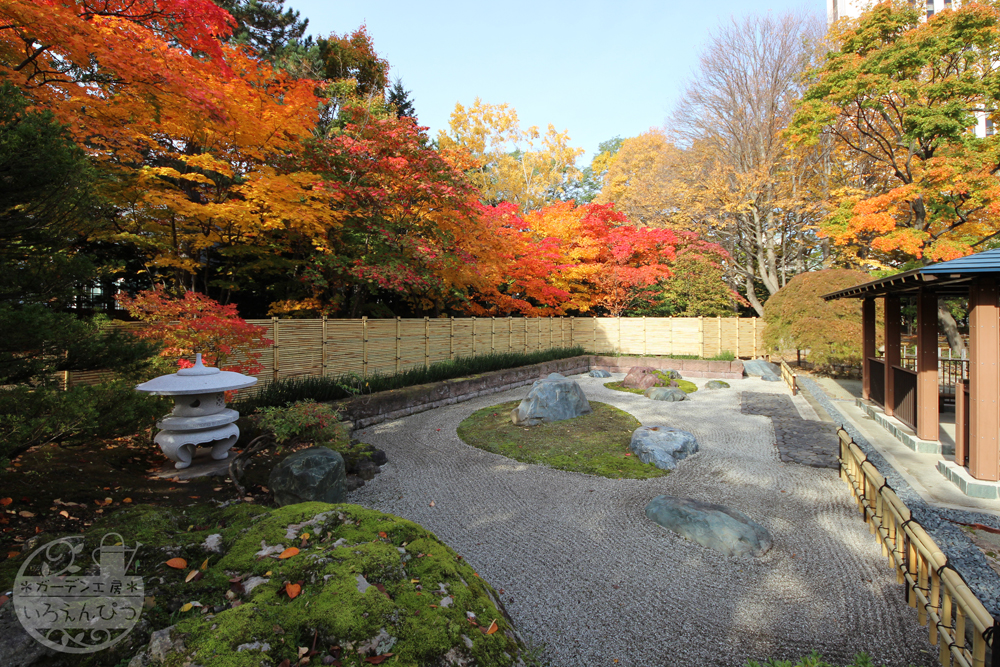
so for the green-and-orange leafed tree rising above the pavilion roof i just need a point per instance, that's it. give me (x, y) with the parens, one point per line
(901, 98)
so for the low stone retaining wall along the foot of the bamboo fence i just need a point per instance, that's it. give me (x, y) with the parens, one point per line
(365, 411)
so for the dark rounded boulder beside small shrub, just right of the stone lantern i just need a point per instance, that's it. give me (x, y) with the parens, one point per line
(312, 474)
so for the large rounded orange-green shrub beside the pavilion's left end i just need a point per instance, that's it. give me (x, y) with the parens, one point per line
(797, 318)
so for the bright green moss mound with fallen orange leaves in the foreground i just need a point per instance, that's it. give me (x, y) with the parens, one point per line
(363, 584)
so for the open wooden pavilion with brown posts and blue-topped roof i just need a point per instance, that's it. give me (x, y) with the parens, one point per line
(911, 395)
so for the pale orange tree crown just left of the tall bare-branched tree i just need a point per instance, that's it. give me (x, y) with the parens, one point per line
(635, 179)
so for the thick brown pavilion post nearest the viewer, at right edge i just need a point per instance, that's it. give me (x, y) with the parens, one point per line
(984, 380)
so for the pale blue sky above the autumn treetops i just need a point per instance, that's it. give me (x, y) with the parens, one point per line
(596, 69)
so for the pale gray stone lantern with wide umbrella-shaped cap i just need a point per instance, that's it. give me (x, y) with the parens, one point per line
(200, 416)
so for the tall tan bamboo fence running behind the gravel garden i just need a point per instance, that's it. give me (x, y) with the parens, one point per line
(333, 347)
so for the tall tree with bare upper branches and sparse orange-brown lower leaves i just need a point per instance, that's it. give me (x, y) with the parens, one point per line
(735, 180)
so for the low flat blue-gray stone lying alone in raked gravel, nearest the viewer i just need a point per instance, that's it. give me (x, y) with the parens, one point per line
(713, 526)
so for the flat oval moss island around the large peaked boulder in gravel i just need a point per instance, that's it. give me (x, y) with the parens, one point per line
(594, 444)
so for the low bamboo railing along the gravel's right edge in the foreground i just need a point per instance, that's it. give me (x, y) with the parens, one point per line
(957, 621)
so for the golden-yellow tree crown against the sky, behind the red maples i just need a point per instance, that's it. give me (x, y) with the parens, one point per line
(526, 167)
